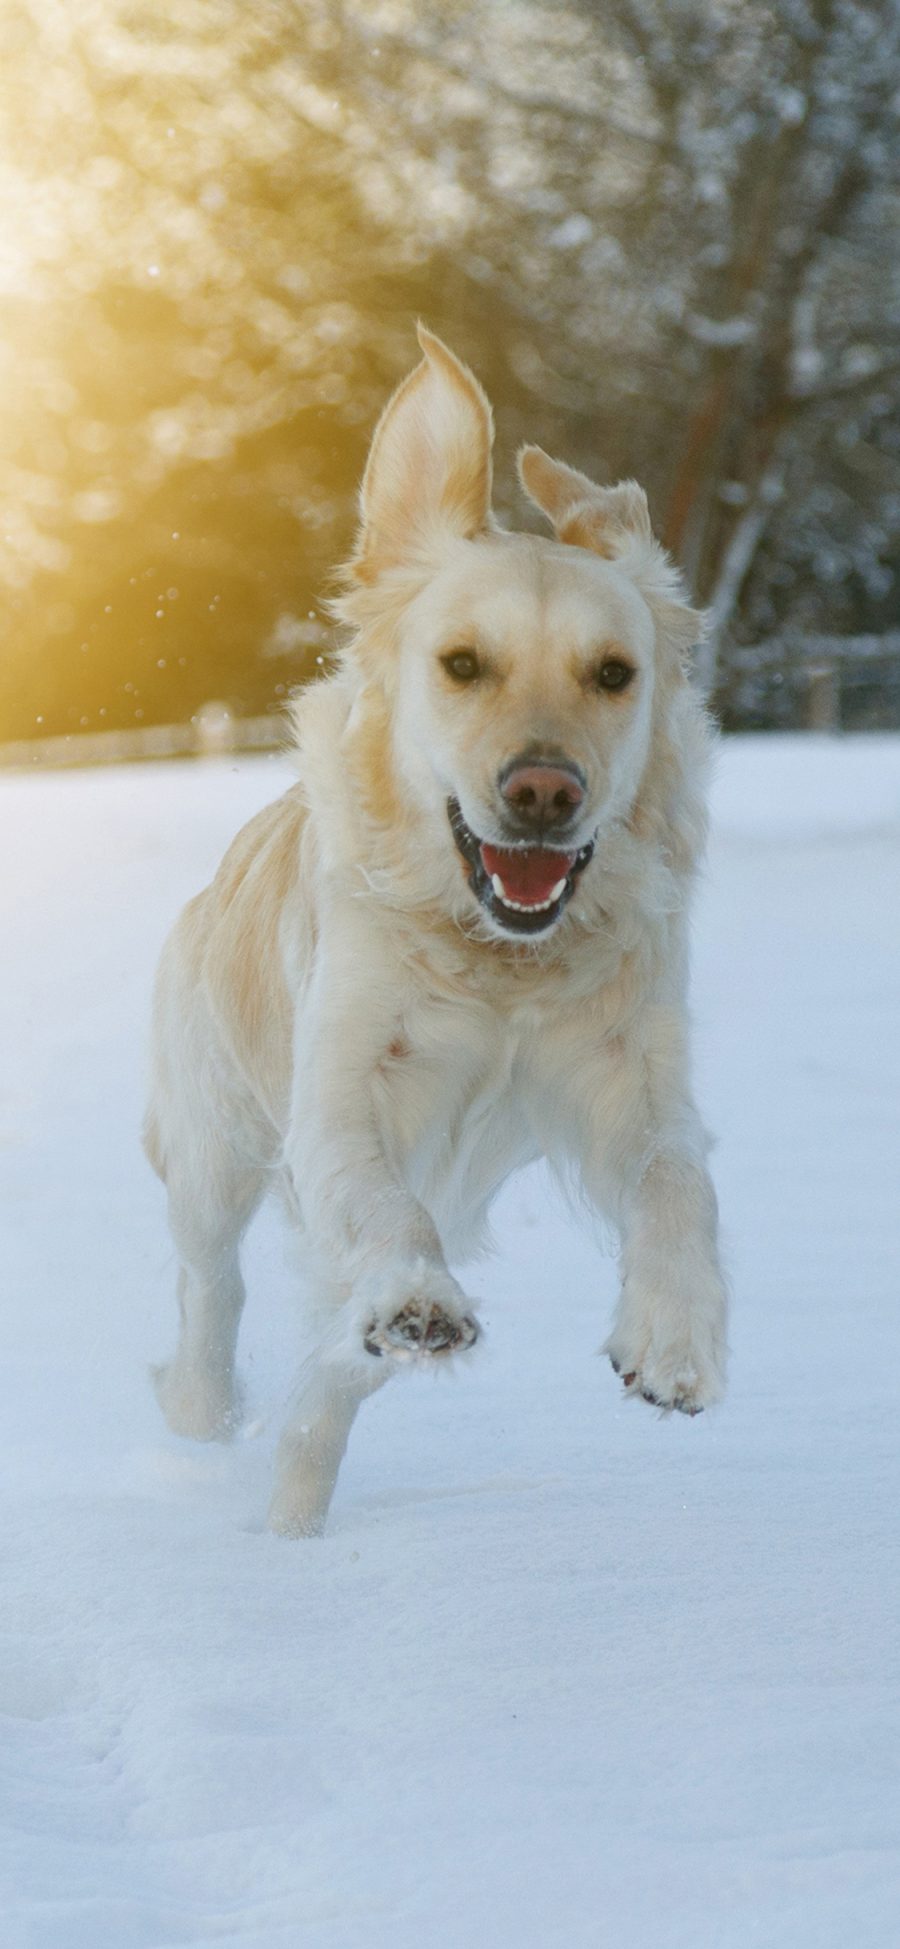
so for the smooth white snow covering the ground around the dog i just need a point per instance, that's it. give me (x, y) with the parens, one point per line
(562, 1671)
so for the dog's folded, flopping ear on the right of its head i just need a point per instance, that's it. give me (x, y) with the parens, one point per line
(613, 523)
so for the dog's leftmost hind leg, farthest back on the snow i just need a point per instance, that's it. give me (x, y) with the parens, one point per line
(211, 1204)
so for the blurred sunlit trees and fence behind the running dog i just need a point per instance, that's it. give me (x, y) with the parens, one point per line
(665, 233)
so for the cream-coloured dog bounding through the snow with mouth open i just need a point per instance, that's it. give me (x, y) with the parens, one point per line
(457, 944)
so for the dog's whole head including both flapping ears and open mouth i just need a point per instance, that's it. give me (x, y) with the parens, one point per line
(525, 685)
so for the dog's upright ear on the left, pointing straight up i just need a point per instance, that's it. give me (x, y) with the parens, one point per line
(430, 467)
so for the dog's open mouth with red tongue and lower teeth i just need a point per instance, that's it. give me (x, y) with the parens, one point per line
(523, 888)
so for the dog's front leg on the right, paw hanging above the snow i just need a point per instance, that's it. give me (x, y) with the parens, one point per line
(646, 1166)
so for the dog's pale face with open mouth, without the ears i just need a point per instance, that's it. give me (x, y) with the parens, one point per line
(523, 716)
